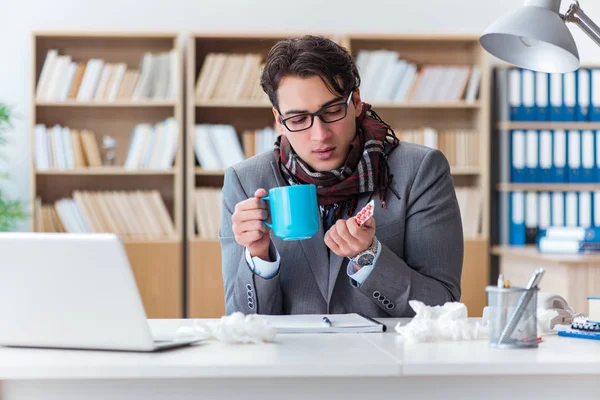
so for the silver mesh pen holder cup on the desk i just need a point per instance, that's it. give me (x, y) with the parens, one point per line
(512, 317)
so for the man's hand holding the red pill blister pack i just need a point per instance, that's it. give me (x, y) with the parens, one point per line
(347, 239)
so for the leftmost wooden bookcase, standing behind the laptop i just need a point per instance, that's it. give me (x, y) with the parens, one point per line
(156, 260)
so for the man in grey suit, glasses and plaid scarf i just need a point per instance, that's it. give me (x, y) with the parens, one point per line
(411, 249)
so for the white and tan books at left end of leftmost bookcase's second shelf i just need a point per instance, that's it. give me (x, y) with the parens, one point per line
(60, 147)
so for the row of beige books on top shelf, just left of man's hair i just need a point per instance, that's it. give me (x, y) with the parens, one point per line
(230, 77)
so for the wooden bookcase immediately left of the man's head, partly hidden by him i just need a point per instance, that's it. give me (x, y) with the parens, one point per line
(205, 296)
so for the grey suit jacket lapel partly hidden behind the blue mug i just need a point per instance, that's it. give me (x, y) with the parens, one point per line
(314, 248)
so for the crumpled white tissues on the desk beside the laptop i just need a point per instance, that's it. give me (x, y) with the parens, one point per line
(234, 328)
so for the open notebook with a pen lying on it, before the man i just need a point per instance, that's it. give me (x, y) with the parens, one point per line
(317, 323)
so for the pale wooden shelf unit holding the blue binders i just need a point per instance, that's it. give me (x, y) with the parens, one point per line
(572, 276)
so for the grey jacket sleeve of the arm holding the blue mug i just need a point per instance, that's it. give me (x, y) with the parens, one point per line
(244, 291)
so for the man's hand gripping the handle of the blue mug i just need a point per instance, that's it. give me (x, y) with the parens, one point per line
(248, 227)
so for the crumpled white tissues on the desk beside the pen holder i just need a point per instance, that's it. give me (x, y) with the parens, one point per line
(437, 323)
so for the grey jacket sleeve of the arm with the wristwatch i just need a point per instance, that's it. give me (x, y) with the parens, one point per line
(433, 246)
